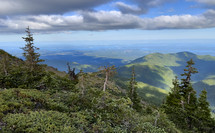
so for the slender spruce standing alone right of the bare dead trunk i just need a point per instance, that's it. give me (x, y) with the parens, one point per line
(133, 92)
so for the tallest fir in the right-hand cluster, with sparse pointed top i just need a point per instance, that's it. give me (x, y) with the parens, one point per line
(181, 103)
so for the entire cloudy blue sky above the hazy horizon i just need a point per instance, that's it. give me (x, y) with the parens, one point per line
(73, 20)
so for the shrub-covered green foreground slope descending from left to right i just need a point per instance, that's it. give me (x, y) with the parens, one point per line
(57, 104)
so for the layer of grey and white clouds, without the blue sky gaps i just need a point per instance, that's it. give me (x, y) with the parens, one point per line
(46, 16)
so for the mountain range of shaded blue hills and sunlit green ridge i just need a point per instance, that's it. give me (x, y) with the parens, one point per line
(154, 72)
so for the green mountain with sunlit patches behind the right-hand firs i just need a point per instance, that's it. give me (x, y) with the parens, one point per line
(158, 70)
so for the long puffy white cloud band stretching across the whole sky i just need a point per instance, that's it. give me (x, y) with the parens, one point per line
(105, 20)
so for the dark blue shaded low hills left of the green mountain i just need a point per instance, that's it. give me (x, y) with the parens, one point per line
(80, 61)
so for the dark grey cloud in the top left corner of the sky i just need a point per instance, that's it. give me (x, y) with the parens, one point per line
(35, 7)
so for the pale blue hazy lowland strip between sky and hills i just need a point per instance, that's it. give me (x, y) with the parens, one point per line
(102, 48)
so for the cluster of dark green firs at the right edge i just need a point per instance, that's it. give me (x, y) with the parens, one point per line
(182, 106)
